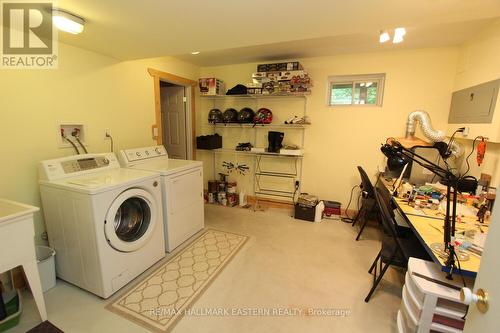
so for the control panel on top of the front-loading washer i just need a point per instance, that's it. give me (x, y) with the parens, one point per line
(77, 165)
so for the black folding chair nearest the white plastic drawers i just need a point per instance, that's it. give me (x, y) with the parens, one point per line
(397, 246)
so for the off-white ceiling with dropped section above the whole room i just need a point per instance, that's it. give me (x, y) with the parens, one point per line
(231, 31)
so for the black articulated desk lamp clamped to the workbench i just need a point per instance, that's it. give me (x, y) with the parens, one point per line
(397, 157)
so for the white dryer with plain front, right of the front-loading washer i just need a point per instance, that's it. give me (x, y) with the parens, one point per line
(182, 188)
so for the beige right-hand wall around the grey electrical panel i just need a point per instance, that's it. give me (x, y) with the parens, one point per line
(479, 62)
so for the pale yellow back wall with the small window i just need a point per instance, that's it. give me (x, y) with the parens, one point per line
(340, 138)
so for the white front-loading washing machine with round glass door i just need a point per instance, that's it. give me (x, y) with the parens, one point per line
(105, 222)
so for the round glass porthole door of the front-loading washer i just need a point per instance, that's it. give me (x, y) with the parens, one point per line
(131, 220)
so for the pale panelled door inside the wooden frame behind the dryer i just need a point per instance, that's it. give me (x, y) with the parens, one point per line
(173, 108)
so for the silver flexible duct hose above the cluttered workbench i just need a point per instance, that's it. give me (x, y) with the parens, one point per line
(430, 133)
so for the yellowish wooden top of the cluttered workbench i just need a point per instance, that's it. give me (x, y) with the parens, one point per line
(428, 225)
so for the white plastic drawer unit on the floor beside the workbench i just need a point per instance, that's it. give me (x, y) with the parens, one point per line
(430, 302)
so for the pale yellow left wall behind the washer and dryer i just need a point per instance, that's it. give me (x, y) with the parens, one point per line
(88, 87)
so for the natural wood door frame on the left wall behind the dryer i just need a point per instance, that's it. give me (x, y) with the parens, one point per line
(189, 85)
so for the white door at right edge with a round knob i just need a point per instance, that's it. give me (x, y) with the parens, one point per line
(487, 279)
